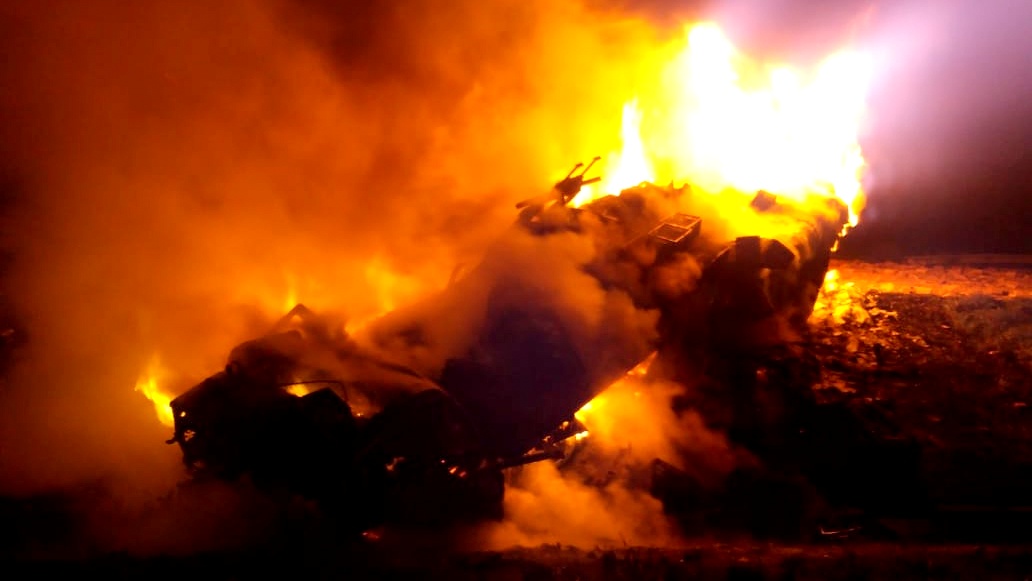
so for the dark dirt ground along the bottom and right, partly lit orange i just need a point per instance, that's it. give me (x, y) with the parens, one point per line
(938, 351)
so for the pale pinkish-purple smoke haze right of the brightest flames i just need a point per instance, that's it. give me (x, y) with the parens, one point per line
(949, 119)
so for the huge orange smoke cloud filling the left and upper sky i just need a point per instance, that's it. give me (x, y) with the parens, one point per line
(174, 175)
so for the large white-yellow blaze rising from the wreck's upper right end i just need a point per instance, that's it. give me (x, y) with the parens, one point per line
(720, 121)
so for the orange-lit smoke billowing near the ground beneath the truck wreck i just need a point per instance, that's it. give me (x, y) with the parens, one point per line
(600, 497)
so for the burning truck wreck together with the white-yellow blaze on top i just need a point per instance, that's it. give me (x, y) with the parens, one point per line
(418, 413)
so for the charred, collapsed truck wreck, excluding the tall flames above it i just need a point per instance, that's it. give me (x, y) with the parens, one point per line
(416, 418)
